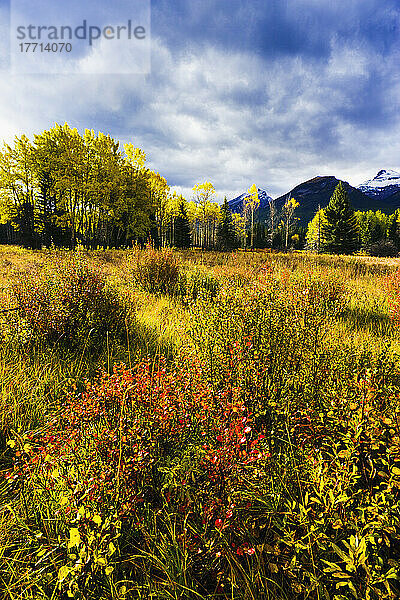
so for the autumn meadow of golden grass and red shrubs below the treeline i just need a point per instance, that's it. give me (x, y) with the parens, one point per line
(199, 425)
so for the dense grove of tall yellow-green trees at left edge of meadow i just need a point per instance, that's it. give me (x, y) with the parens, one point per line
(65, 188)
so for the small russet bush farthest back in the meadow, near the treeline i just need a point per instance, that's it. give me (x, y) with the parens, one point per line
(157, 271)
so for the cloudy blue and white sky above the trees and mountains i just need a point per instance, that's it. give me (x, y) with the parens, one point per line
(238, 92)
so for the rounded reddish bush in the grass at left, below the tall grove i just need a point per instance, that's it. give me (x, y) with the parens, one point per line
(67, 303)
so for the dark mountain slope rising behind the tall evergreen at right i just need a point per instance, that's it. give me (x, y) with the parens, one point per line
(318, 191)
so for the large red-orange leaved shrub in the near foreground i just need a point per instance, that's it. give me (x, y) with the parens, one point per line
(136, 449)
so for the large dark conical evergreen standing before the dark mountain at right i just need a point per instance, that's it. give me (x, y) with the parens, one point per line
(340, 231)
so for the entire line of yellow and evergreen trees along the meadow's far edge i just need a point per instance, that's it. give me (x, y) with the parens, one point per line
(66, 189)
